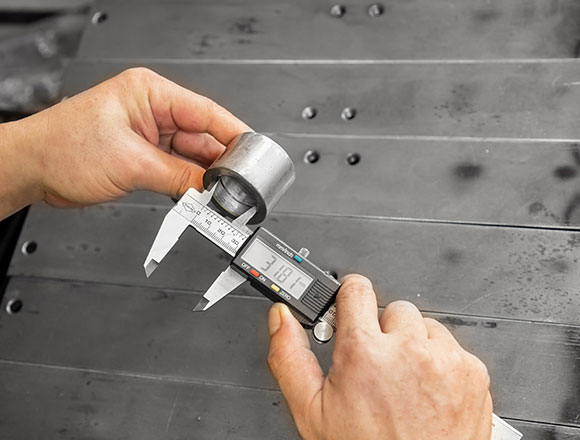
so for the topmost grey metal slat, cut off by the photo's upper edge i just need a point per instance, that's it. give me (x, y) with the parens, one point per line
(304, 29)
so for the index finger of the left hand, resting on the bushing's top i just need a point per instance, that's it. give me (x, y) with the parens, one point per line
(197, 114)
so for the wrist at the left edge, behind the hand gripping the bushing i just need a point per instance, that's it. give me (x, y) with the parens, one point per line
(20, 173)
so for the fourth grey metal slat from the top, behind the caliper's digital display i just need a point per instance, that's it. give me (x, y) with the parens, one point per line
(489, 271)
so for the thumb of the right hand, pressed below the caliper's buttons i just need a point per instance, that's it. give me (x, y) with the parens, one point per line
(293, 365)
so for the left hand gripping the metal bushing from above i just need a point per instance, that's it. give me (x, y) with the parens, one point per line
(115, 138)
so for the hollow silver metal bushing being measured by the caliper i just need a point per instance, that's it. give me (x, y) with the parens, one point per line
(253, 171)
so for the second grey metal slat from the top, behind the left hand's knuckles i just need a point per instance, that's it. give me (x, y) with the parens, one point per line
(515, 100)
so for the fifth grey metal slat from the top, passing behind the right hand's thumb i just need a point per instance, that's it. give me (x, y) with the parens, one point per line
(138, 331)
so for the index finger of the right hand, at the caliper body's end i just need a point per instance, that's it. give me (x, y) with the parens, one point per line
(356, 306)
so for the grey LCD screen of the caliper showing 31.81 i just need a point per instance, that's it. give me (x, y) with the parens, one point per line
(277, 268)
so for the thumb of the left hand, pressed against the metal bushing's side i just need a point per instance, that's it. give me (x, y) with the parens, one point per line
(166, 174)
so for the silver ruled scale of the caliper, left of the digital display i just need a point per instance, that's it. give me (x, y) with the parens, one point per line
(211, 225)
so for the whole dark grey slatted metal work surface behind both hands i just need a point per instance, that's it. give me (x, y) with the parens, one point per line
(465, 200)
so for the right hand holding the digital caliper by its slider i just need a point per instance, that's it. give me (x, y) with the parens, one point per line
(400, 377)
